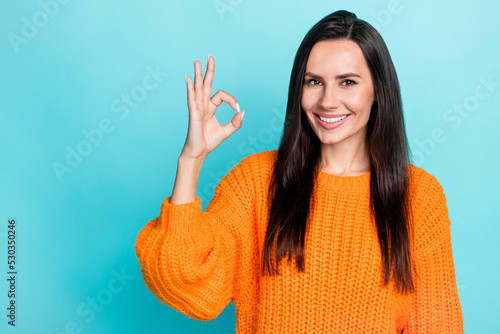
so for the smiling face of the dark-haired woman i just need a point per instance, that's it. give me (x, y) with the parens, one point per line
(338, 92)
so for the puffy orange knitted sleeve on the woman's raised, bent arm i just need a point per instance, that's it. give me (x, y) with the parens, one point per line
(192, 260)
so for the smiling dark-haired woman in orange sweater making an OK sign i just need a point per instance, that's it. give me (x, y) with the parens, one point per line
(366, 233)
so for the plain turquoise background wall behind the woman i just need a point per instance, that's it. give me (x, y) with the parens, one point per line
(76, 231)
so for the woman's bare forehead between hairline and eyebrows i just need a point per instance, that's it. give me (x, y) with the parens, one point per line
(336, 56)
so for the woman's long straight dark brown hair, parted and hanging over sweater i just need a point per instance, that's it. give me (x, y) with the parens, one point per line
(299, 155)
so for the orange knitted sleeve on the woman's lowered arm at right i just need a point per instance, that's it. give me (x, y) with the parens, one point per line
(435, 306)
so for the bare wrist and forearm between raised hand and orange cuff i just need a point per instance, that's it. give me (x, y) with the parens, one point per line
(186, 180)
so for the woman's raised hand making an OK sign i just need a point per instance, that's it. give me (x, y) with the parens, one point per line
(205, 132)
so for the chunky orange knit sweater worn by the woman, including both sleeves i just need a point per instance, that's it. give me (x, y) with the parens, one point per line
(198, 262)
